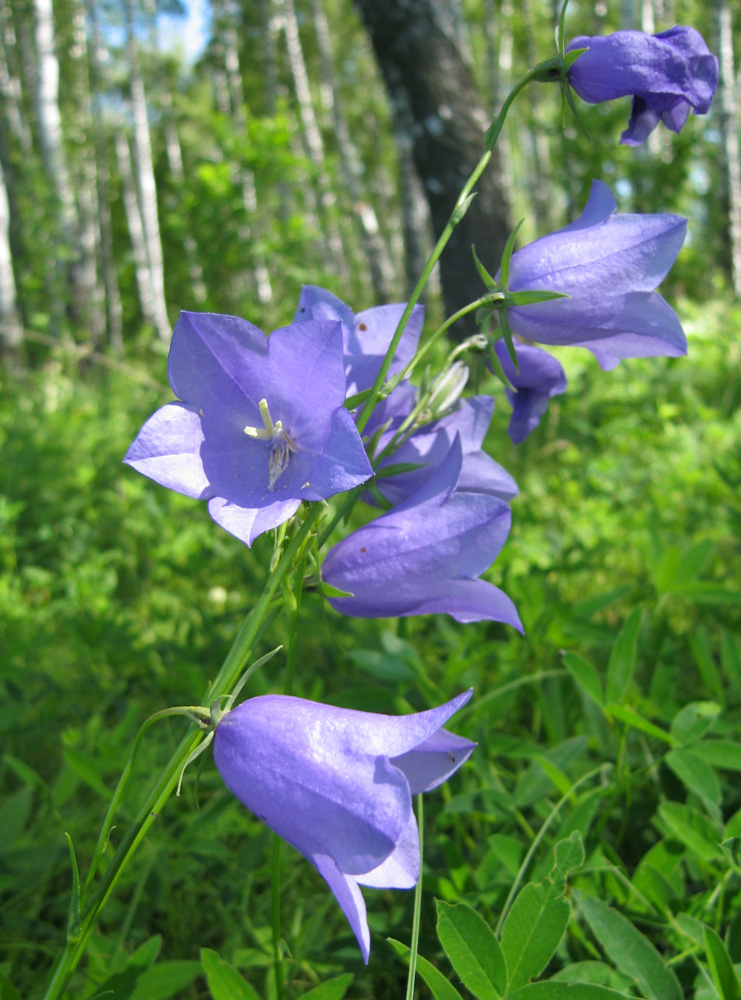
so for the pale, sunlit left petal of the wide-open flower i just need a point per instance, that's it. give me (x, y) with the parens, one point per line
(168, 450)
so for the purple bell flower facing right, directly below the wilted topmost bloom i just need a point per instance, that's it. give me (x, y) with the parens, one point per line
(609, 263)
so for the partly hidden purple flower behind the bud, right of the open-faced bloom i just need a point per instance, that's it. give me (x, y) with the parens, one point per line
(429, 446)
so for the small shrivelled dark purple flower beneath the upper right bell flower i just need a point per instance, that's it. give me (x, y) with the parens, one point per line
(537, 379)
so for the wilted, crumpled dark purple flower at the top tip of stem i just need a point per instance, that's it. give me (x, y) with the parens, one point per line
(668, 75)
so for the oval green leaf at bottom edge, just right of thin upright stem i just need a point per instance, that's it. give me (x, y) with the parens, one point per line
(473, 950)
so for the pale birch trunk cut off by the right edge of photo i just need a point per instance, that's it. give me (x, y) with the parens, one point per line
(729, 129)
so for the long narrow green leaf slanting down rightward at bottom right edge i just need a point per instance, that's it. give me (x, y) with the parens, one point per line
(631, 952)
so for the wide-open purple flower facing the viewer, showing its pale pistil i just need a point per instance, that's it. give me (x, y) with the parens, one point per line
(260, 425)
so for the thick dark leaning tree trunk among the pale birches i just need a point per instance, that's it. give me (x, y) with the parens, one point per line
(425, 74)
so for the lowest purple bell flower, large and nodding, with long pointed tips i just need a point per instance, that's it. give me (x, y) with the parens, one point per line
(337, 784)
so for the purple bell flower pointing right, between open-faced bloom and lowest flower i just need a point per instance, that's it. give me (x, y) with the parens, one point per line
(425, 555)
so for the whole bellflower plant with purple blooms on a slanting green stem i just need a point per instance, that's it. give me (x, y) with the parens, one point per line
(268, 429)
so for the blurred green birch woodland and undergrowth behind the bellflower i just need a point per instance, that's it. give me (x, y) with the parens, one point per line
(215, 156)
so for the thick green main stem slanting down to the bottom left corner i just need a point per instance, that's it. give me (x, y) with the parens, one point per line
(236, 659)
